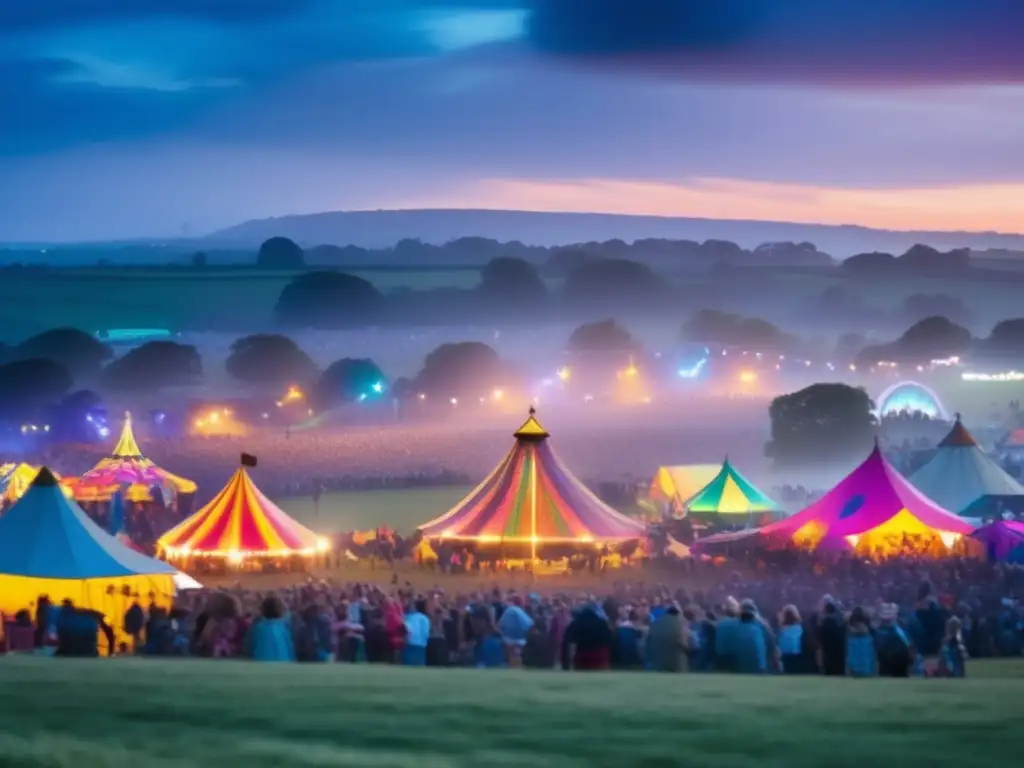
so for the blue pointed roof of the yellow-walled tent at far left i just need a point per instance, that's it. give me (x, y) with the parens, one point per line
(47, 536)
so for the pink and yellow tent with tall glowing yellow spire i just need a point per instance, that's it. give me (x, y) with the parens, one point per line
(126, 470)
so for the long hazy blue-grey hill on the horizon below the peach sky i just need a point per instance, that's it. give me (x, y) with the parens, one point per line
(385, 229)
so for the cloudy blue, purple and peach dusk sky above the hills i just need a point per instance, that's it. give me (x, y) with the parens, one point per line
(159, 118)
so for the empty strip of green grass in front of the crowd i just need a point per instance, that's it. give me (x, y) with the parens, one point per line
(142, 713)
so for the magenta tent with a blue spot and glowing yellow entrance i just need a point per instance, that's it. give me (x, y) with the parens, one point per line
(871, 510)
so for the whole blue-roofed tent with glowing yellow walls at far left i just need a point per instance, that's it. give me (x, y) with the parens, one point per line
(49, 546)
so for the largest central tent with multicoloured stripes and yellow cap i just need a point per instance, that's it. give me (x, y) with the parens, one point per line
(532, 499)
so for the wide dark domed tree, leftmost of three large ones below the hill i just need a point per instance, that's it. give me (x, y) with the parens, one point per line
(329, 300)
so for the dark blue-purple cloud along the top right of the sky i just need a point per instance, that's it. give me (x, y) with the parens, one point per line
(852, 41)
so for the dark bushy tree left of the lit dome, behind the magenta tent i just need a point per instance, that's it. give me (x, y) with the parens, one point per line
(823, 423)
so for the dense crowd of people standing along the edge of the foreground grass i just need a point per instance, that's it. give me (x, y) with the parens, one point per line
(794, 615)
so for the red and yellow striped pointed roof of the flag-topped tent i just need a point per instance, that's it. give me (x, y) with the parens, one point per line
(241, 521)
